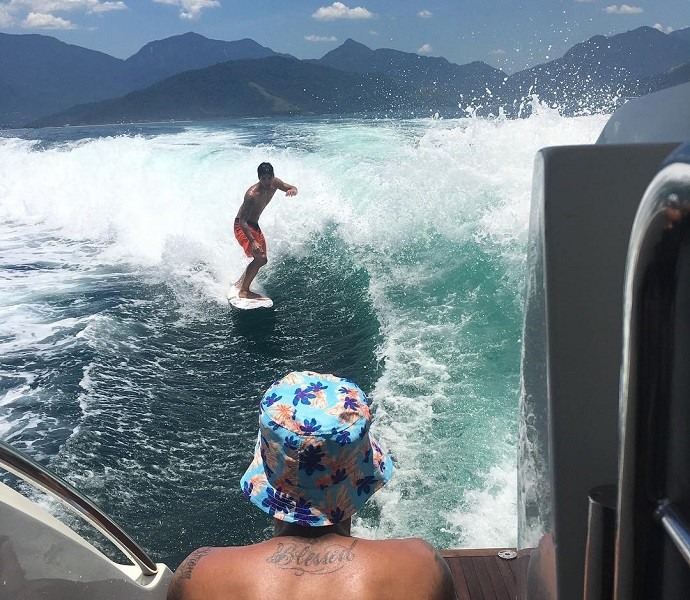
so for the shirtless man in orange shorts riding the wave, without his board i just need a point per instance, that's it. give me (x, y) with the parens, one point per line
(247, 229)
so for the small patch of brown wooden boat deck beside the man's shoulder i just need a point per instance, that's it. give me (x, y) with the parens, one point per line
(484, 575)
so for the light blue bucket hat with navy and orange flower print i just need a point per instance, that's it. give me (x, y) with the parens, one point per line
(315, 463)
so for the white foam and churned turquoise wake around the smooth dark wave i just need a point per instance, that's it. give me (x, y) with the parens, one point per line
(434, 211)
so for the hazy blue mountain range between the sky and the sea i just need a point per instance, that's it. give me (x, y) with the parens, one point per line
(46, 82)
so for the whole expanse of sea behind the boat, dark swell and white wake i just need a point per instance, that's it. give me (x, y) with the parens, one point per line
(400, 264)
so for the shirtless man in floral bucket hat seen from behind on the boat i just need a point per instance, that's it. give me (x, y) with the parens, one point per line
(315, 465)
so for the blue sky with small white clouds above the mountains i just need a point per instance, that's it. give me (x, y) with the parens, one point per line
(511, 35)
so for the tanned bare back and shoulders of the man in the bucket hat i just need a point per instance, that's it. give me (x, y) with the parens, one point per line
(310, 569)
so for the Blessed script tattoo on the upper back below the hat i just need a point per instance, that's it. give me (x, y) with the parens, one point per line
(307, 558)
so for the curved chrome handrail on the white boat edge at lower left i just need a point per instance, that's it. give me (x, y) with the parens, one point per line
(29, 470)
